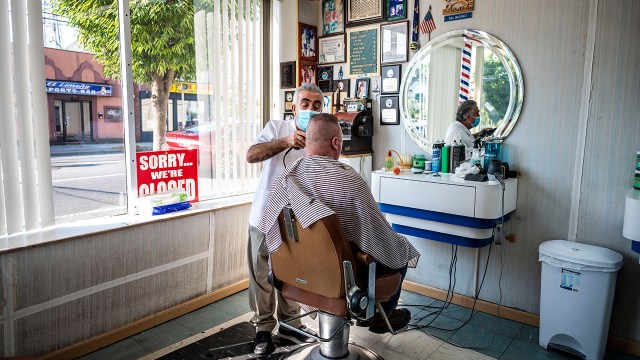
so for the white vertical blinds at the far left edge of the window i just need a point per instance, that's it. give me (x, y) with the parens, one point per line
(26, 200)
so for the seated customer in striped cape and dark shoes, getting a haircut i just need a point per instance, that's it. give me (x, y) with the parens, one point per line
(319, 185)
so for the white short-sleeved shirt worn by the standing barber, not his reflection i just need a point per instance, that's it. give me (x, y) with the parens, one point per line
(273, 167)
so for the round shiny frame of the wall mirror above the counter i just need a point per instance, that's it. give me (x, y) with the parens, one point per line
(500, 49)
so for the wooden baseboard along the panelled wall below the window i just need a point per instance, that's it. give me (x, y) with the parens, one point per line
(100, 341)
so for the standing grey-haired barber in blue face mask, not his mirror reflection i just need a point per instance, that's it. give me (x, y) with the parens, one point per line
(280, 143)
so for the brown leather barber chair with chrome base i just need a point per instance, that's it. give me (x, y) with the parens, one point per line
(316, 266)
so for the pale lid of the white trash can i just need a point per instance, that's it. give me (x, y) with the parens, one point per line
(584, 254)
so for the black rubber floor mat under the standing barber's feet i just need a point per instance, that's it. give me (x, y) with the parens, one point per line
(235, 342)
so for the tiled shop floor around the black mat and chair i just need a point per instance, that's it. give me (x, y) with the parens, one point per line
(483, 337)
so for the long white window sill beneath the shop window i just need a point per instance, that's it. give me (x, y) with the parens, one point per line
(79, 229)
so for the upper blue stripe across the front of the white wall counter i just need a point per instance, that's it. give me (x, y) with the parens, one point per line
(440, 217)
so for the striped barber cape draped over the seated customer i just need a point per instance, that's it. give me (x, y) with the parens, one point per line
(318, 186)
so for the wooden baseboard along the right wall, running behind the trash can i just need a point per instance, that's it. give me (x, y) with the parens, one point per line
(613, 342)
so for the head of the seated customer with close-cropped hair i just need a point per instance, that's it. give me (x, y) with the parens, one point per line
(324, 136)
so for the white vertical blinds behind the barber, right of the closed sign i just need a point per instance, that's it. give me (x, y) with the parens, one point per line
(229, 57)
